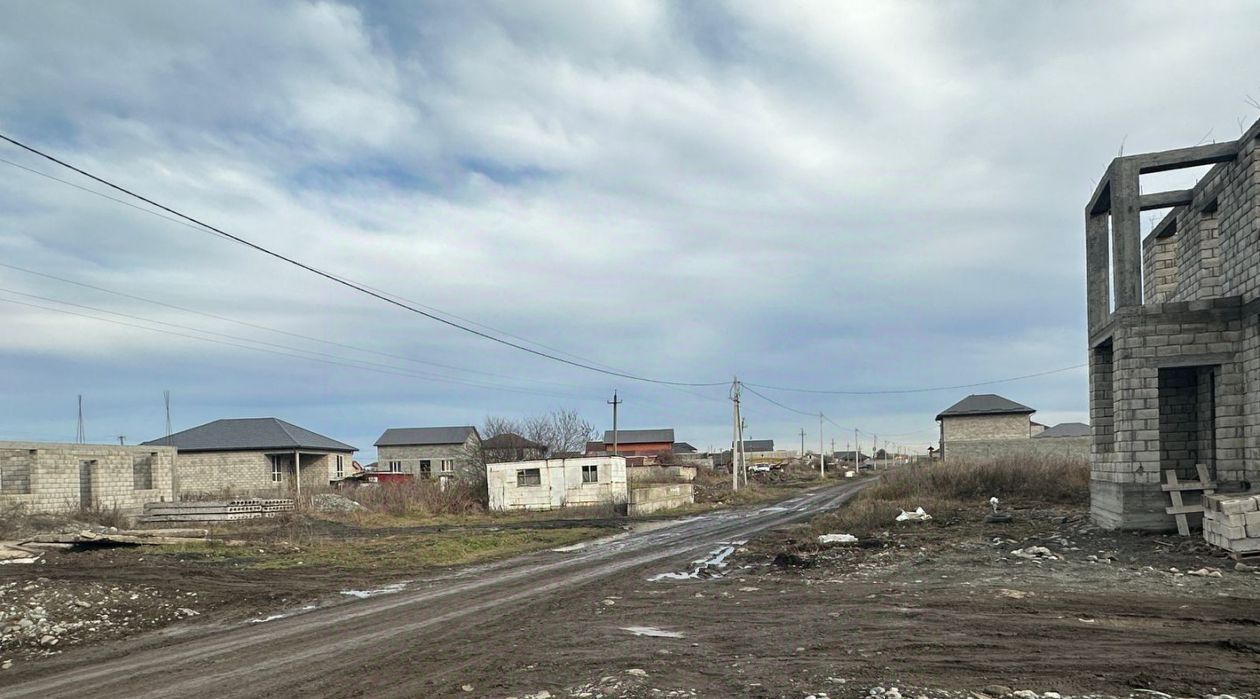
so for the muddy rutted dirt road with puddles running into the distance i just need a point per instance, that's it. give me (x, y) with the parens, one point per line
(433, 638)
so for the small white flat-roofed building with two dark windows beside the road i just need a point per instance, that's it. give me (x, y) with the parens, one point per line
(549, 484)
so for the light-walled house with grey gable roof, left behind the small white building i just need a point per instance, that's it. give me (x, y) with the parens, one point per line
(430, 452)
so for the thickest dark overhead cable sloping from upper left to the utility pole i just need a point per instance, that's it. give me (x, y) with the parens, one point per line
(348, 284)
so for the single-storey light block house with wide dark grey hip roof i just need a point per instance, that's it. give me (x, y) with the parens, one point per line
(261, 457)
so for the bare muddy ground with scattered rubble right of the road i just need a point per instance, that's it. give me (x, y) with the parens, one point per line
(939, 609)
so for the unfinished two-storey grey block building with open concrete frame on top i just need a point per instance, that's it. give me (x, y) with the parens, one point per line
(1174, 331)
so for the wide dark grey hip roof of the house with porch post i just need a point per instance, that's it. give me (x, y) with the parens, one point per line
(251, 434)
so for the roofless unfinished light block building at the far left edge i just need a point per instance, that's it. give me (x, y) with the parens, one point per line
(57, 478)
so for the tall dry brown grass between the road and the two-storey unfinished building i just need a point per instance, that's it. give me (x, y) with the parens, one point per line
(947, 489)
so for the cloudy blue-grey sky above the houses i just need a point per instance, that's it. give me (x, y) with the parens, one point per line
(823, 196)
